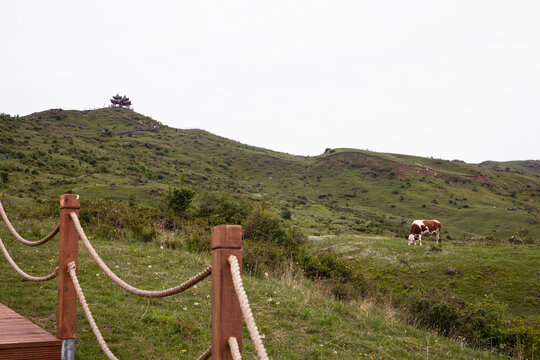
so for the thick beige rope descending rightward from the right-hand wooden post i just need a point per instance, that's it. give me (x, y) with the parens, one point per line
(246, 310)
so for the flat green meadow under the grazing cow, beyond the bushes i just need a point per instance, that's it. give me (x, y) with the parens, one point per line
(463, 269)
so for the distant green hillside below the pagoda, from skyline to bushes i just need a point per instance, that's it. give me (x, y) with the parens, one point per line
(120, 153)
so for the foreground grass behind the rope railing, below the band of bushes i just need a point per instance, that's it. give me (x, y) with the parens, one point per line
(297, 319)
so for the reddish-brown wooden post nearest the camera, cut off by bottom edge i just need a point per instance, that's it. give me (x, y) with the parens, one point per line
(226, 312)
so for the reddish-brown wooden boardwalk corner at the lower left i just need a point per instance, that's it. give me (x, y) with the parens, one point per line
(20, 339)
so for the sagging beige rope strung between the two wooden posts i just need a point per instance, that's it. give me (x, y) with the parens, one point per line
(131, 289)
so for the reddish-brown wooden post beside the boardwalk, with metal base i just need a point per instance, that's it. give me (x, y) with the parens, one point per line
(68, 252)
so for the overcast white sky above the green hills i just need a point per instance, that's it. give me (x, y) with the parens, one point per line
(449, 79)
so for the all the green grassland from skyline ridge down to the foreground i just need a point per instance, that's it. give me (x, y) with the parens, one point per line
(365, 200)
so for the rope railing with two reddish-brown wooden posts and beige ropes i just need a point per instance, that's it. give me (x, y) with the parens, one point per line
(227, 313)
